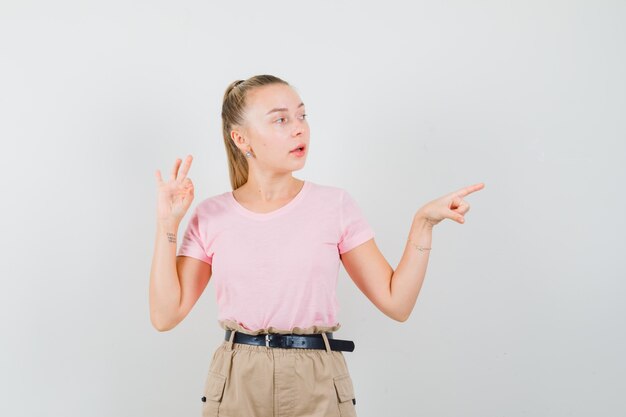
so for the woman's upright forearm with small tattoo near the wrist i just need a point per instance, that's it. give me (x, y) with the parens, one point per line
(164, 282)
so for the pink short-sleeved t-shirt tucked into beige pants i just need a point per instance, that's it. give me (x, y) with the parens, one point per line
(277, 269)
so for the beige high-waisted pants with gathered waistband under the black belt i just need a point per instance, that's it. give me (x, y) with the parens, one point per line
(259, 381)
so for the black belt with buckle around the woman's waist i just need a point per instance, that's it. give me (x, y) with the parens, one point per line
(302, 341)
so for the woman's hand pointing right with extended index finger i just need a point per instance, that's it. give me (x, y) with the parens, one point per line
(450, 206)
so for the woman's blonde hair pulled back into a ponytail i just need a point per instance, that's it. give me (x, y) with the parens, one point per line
(233, 113)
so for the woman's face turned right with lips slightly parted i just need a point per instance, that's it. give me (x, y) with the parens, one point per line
(275, 125)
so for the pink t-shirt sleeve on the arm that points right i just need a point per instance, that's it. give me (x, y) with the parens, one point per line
(355, 229)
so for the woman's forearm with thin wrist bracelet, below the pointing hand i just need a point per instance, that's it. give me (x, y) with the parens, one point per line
(407, 279)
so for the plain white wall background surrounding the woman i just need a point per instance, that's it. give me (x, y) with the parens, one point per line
(521, 312)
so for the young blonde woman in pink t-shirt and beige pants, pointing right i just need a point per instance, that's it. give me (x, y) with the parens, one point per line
(272, 246)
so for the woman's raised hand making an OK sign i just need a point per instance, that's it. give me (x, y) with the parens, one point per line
(174, 196)
